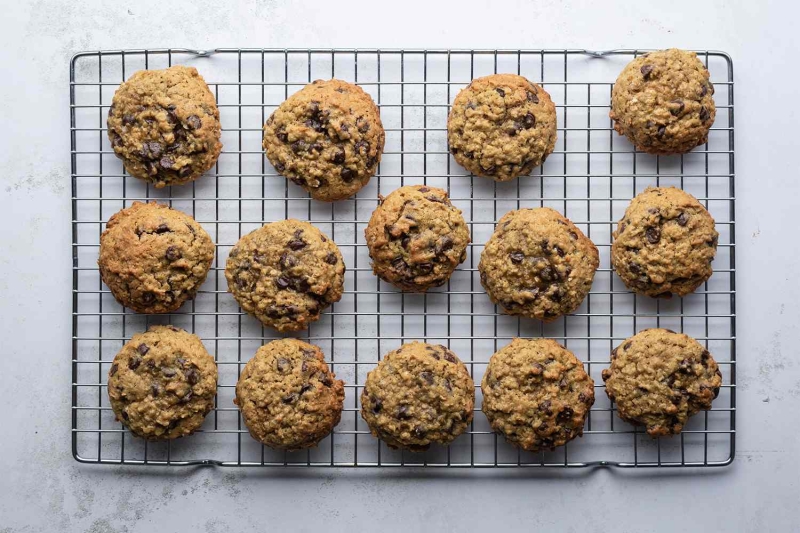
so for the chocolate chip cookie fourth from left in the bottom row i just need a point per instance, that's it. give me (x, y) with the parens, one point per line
(536, 394)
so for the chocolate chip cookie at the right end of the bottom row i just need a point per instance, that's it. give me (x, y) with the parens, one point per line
(659, 378)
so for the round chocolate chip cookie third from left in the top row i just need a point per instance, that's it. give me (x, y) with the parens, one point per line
(501, 126)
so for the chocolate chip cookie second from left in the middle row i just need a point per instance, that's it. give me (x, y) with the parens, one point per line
(285, 273)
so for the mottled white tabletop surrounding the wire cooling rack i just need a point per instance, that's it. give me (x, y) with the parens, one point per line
(43, 489)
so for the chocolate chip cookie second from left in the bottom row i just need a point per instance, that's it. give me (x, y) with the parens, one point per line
(288, 396)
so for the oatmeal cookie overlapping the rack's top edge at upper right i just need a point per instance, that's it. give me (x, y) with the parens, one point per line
(662, 102)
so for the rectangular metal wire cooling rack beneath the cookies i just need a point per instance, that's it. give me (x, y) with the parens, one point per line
(591, 177)
